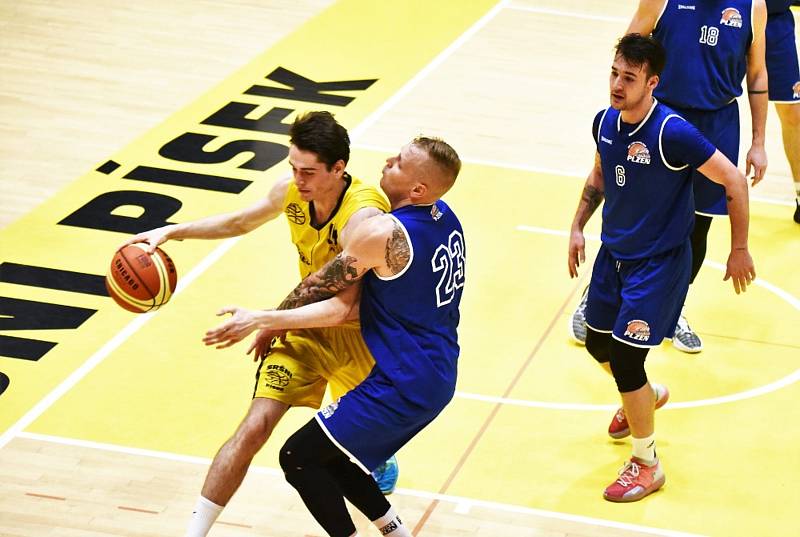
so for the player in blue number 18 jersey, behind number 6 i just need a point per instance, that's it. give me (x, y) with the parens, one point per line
(712, 45)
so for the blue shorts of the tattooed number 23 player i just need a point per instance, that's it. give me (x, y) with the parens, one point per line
(373, 421)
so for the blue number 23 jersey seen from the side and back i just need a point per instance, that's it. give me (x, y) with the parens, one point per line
(409, 321)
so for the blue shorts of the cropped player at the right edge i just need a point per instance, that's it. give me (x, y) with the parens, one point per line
(782, 63)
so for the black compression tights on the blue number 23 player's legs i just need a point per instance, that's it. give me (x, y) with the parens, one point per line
(324, 476)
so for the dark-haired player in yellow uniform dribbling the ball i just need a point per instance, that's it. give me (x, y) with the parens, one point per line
(323, 204)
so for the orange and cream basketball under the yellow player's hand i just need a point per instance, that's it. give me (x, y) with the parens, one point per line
(140, 282)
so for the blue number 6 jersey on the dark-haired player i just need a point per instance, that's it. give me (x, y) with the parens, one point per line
(649, 206)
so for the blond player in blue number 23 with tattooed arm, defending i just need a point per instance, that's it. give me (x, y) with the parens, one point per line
(411, 265)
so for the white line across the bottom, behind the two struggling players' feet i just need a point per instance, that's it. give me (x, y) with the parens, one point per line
(462, 504)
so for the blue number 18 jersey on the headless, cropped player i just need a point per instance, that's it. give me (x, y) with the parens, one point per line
(706, 43)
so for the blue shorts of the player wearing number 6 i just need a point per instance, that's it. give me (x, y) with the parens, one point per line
(639, 301)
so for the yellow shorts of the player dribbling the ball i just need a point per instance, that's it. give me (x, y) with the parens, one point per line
(296, 371)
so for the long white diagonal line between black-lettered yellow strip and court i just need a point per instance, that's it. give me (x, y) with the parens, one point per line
(214, 256)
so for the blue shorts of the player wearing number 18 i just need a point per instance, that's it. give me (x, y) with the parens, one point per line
(721, 127)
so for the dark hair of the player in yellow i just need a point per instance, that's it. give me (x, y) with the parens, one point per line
(321, 134)
